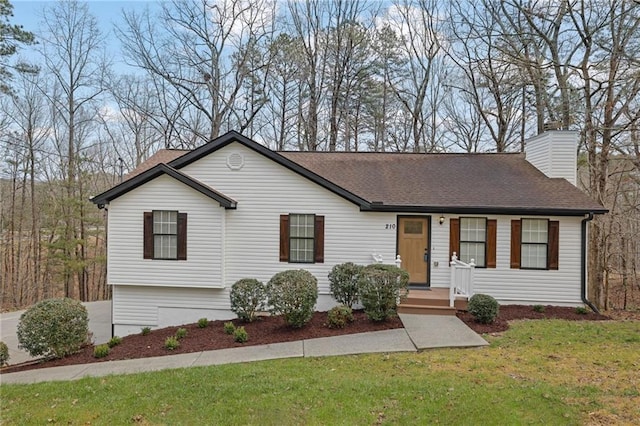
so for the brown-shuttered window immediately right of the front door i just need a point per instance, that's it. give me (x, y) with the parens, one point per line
(473, 238)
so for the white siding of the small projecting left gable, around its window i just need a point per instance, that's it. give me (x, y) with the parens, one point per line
(125, 263)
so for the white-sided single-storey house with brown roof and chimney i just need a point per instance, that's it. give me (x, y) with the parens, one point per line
(188, 224)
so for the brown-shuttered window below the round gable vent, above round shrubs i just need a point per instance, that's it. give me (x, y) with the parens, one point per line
(302, 238)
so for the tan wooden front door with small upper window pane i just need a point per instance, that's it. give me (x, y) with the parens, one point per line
(413, 248)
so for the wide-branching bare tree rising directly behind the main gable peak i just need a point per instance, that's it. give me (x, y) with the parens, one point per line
(204, 50)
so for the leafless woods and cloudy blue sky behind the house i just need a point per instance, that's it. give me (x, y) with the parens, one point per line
(402, 75)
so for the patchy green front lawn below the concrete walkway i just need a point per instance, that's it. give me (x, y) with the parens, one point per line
(539, 372)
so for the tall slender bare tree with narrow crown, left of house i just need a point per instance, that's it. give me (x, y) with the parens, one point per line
(72, 49)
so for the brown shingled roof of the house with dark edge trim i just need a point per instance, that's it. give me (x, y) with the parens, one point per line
(407, 182)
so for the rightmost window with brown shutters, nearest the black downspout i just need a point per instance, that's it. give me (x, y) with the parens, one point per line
(534, 243)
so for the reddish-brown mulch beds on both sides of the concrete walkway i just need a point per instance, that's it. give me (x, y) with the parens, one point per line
(270, 330)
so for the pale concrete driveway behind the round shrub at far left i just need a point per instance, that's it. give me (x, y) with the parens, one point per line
(99, 325)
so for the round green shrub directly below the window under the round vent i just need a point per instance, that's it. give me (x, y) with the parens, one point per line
(293, 294)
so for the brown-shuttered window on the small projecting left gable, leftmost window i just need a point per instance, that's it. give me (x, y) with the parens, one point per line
(165, 235)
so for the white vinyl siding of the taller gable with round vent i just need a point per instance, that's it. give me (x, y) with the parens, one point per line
(265, 190)
